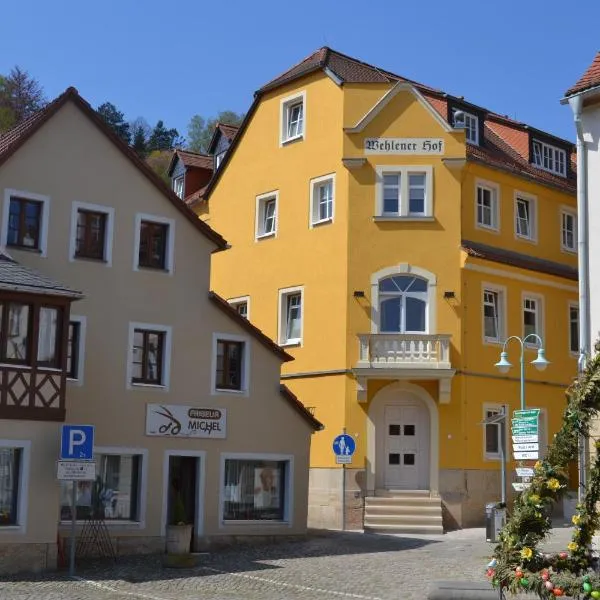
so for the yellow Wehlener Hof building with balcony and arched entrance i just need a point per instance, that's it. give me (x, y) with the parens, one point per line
(391, 237)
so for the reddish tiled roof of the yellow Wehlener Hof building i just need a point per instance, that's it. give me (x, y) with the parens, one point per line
(509, 138)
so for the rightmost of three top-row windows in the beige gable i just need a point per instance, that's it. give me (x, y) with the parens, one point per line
(154, 243)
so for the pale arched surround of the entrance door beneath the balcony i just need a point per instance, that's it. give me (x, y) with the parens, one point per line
(395, 394)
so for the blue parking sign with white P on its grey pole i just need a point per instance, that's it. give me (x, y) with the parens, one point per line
(76, 452)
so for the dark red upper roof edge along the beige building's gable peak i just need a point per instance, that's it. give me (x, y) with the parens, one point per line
(11, 141)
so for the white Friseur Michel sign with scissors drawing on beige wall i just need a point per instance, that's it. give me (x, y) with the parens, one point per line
(174, 420)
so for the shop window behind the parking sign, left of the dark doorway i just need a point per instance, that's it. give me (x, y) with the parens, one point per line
(115, 494)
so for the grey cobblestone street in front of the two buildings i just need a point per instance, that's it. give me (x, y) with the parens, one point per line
(333, 565)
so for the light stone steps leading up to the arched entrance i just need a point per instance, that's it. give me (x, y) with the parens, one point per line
(403, 511)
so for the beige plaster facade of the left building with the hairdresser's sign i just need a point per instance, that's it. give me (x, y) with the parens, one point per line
(71, 160)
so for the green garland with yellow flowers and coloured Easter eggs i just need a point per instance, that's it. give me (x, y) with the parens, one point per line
(518, 565)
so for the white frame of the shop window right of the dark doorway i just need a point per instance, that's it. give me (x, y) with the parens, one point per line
(288, 509)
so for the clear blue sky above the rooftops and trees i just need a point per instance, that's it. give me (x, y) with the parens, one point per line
(174, 60)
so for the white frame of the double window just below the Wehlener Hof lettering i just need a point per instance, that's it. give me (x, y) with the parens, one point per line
(403, 210)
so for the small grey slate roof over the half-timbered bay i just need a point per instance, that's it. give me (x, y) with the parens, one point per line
(15, 277)
